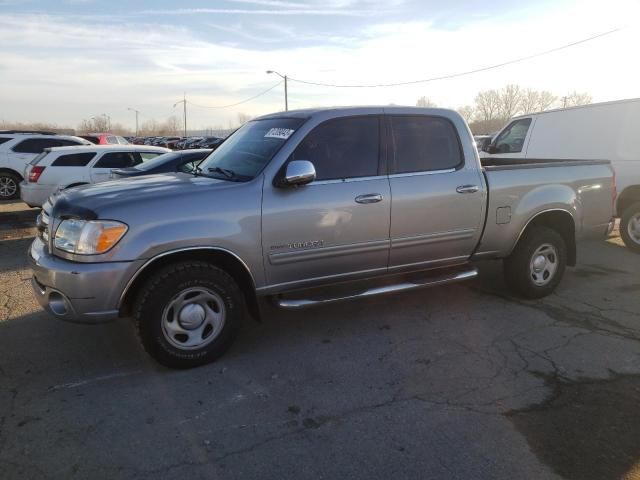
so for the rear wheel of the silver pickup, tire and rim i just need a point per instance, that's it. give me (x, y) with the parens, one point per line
(535, 267)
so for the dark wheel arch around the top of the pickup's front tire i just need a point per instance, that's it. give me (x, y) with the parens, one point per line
(225, 259)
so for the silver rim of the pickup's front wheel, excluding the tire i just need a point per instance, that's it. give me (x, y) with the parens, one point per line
(193, 318)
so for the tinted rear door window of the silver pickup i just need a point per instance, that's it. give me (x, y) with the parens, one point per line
(423, 143)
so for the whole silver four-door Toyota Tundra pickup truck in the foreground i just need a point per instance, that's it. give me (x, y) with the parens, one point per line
(309, 207)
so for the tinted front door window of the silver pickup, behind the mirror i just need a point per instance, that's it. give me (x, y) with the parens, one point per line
(342, 148)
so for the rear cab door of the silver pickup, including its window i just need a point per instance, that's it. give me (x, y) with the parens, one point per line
(437, 198)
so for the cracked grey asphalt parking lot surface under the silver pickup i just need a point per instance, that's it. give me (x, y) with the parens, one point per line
(457, 382)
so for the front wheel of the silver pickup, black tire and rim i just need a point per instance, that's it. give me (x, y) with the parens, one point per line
(188, 314)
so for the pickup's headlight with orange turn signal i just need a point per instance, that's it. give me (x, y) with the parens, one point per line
(88, 237)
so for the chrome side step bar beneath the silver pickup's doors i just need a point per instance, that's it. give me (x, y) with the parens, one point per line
(294, 304)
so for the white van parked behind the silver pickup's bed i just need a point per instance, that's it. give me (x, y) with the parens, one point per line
(600, 131)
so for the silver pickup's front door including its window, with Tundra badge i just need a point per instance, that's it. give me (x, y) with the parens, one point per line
(338, 225)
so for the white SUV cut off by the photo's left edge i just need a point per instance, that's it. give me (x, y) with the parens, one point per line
(18, 148)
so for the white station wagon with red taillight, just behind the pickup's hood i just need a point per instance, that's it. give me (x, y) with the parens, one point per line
(66, 167)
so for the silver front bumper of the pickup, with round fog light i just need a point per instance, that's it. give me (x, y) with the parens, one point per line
(77, 292)
